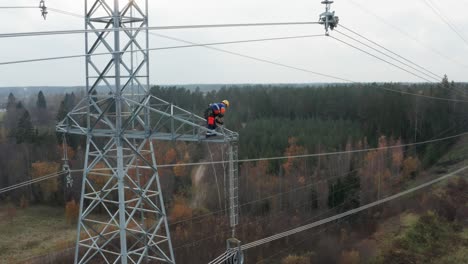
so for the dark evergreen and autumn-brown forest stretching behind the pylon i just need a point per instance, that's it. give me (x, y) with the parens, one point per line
(383, 121)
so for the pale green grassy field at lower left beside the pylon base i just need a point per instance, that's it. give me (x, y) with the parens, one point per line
(33, 232)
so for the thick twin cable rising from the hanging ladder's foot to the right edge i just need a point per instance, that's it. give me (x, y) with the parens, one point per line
(350, 212)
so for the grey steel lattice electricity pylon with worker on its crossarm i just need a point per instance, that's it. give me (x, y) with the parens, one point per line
(122, 213)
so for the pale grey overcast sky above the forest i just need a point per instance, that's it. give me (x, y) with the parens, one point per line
(200, 65)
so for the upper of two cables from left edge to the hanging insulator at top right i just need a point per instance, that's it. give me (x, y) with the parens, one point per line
(82, 31)
